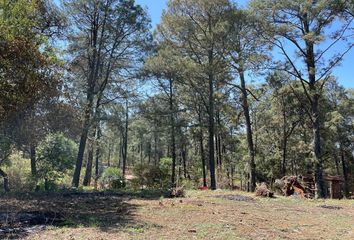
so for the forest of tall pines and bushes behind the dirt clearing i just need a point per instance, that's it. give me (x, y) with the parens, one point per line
(218, 95)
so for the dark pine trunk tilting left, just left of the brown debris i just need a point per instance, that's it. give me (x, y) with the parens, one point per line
(252, 164)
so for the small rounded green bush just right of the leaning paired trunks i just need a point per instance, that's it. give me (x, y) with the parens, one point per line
(112, 178)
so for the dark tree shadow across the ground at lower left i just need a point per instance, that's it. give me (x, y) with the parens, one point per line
(24, 213)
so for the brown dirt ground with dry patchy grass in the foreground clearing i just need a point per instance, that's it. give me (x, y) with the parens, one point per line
(200, 215)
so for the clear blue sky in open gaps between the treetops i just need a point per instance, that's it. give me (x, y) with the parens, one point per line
(344, 72)
